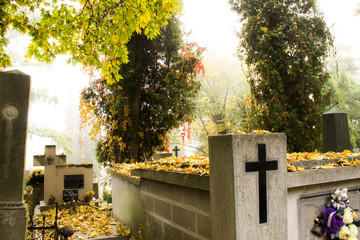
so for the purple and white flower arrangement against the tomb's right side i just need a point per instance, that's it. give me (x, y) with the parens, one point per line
(338, 220)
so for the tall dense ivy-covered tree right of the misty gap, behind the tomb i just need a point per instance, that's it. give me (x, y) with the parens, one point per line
(284, 44)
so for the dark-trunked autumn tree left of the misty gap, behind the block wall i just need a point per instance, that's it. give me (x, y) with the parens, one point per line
(155, 94)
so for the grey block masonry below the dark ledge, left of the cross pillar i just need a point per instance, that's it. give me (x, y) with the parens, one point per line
(176, 212)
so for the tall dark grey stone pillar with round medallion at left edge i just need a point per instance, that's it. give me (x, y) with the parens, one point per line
(14, 104)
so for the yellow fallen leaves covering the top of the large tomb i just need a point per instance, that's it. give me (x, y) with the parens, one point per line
(200, 165)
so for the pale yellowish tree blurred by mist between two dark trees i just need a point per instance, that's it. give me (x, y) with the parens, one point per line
(221, 105)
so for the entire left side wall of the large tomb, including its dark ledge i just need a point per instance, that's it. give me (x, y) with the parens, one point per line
(168, 209)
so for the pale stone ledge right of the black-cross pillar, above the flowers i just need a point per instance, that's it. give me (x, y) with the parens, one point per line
(319, 176)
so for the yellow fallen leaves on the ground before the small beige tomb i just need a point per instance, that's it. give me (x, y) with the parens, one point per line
(88, 222)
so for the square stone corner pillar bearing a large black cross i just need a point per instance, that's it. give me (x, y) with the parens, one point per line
(248, 186)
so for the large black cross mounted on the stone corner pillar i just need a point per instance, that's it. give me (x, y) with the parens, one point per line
(262, 166)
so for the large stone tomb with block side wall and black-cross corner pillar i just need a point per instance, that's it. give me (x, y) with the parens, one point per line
(250, 195)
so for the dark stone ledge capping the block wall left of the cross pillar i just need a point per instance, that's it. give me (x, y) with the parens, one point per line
(176, 178)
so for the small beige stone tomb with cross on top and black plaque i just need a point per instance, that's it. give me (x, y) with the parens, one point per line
(64, 181)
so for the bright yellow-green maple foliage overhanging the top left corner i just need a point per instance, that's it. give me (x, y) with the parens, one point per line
(93, 32)
